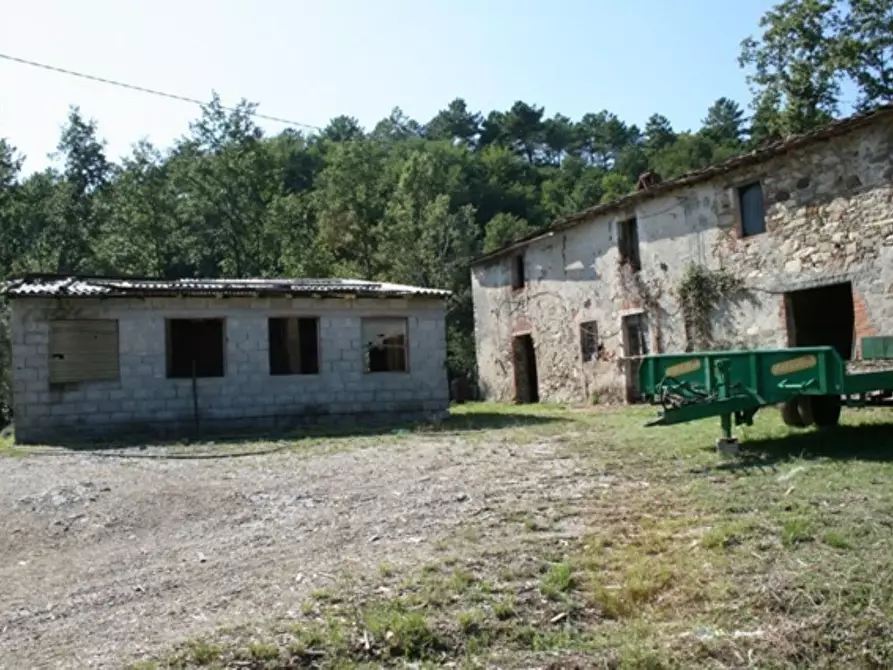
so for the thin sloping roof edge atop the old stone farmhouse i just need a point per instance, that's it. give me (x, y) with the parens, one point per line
(827, 131)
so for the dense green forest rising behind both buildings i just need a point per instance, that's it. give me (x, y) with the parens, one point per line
(407, 201)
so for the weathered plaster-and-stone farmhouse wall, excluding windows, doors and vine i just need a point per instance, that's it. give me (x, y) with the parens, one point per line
(829, 216)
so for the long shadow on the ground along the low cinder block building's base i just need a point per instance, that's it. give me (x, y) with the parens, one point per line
(266, 441)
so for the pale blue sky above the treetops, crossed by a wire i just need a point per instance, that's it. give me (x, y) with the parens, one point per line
(312, 60)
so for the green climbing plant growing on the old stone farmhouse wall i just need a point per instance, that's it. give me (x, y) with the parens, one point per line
(701, 291)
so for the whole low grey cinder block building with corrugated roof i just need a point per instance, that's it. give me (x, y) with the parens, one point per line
(104, 357)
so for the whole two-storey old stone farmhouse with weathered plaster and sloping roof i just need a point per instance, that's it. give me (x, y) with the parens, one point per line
(789, 245)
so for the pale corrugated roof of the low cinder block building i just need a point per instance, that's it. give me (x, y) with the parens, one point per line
(86, 287)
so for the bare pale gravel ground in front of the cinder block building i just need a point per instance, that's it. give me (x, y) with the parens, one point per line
(106, 558)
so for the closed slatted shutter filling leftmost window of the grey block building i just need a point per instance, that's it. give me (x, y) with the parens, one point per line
(83, 350)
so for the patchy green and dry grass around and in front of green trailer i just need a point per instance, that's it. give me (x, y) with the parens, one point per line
(677, 559)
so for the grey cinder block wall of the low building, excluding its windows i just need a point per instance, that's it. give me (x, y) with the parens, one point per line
(144, 400)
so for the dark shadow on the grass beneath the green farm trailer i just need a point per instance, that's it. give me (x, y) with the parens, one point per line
(871, 442)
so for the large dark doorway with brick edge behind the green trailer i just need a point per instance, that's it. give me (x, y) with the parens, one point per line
(822, 316)
